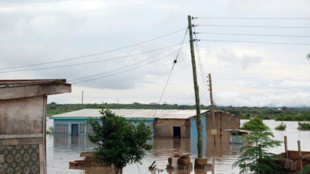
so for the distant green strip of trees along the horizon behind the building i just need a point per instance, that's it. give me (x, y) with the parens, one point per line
(281, 113)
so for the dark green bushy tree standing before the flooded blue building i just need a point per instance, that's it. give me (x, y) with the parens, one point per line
(119, 141)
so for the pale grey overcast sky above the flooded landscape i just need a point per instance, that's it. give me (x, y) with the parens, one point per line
(44, 39)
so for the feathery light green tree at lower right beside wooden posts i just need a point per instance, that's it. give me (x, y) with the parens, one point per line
(254, 156)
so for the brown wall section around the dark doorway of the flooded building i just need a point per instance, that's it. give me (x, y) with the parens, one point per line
(164, 127)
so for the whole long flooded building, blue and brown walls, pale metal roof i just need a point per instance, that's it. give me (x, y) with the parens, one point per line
(164, 123)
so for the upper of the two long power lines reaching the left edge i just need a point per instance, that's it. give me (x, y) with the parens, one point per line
(95, 54)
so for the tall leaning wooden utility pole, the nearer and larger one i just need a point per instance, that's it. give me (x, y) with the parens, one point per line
(196, 88)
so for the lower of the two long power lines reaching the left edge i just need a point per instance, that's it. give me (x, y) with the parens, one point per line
(89, 62)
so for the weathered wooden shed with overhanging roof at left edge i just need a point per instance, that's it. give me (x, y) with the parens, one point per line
(22, 123)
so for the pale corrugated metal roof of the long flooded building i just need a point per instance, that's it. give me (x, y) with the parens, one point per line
(133, 113)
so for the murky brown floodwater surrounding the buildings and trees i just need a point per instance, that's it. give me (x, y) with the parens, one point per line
(62, 149)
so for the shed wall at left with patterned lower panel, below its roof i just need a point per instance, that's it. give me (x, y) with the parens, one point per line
(22, 143)
